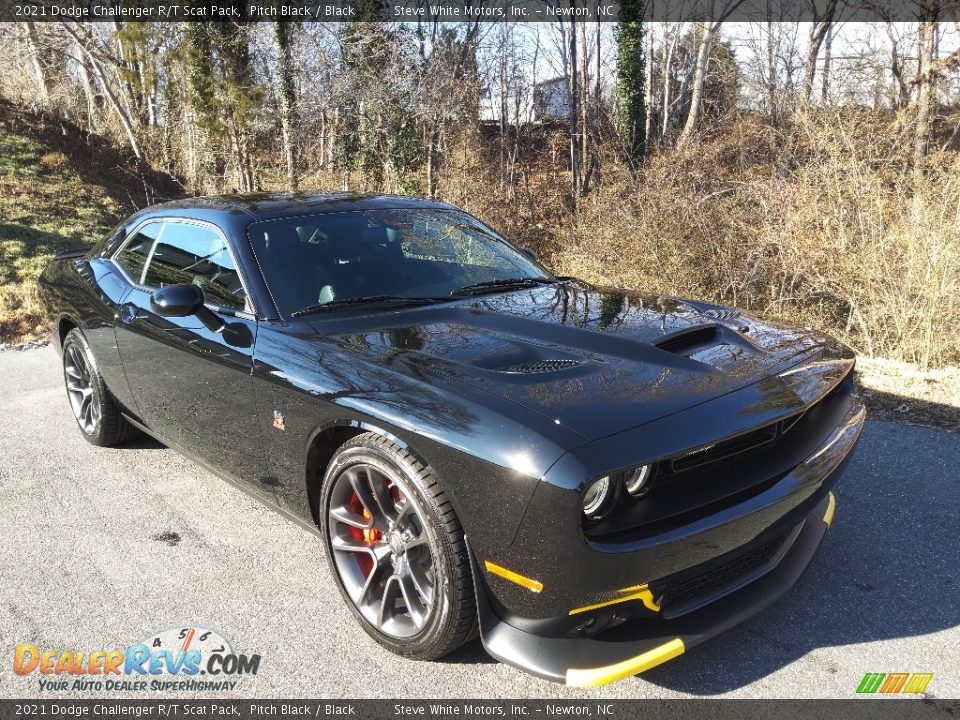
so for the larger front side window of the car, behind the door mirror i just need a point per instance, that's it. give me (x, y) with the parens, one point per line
(185, 253)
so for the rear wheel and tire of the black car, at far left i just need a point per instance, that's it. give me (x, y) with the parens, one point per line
(94, 408)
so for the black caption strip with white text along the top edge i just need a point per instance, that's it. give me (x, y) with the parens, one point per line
(469, 10)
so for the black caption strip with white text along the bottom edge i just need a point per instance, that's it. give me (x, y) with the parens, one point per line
(854, 709)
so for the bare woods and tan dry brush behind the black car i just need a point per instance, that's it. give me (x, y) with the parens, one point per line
(809, 171)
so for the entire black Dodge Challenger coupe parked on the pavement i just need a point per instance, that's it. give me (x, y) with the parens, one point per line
(593, 479)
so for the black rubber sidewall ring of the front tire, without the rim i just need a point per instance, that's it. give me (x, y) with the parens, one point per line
(369, 452)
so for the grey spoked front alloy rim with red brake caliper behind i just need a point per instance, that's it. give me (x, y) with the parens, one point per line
(381, 550)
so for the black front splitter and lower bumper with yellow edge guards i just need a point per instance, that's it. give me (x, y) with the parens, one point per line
(635, 636)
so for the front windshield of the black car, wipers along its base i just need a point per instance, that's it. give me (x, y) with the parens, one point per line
(332, 258)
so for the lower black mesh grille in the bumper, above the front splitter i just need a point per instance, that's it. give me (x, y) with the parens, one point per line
(712, 580)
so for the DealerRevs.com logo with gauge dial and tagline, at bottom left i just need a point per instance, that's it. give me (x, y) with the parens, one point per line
(185, 658)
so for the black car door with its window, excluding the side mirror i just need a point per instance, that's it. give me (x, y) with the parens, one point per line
(191, 384)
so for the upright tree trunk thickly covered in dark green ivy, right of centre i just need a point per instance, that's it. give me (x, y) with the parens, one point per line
(631, 63)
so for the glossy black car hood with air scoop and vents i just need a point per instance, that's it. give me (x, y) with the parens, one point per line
(597, 361)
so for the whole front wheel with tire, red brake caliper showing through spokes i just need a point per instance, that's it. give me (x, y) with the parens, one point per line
(396, 549)
